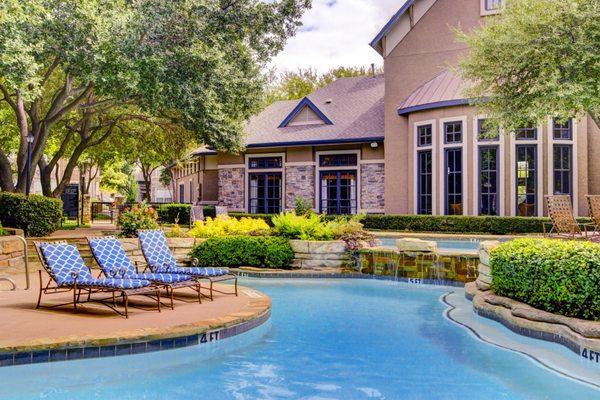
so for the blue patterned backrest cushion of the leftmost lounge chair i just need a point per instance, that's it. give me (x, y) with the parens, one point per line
(64, 261)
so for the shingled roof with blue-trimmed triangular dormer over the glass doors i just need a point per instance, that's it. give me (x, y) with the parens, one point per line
(353, 106)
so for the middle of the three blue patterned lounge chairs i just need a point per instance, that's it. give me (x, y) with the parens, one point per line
(114, 263)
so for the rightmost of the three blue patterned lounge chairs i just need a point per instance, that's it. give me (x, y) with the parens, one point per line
(159, 259)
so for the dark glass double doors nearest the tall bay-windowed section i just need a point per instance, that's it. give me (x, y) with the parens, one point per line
(338, 192)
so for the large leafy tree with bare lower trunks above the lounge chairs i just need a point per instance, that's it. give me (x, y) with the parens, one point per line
(196, 63)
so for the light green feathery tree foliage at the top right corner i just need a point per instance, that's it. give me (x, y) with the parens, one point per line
(537, 59)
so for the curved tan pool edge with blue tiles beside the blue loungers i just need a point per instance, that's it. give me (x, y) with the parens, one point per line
(254, 314)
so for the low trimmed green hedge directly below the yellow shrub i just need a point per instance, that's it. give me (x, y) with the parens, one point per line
(252, 251)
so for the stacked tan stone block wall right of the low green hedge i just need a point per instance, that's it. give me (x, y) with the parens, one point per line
(327, 256)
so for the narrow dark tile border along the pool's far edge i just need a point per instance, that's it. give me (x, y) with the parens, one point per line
(325, 275)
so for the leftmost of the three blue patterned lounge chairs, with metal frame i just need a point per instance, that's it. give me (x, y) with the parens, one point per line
(67, 271)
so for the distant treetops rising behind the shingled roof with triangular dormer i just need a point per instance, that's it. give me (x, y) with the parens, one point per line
(298, 84)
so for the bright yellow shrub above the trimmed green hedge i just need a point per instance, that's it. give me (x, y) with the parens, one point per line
(223, 226)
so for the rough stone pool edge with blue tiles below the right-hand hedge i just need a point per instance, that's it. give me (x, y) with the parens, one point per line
(513, 315)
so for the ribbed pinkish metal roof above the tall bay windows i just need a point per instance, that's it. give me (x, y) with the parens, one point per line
(445, 90)
